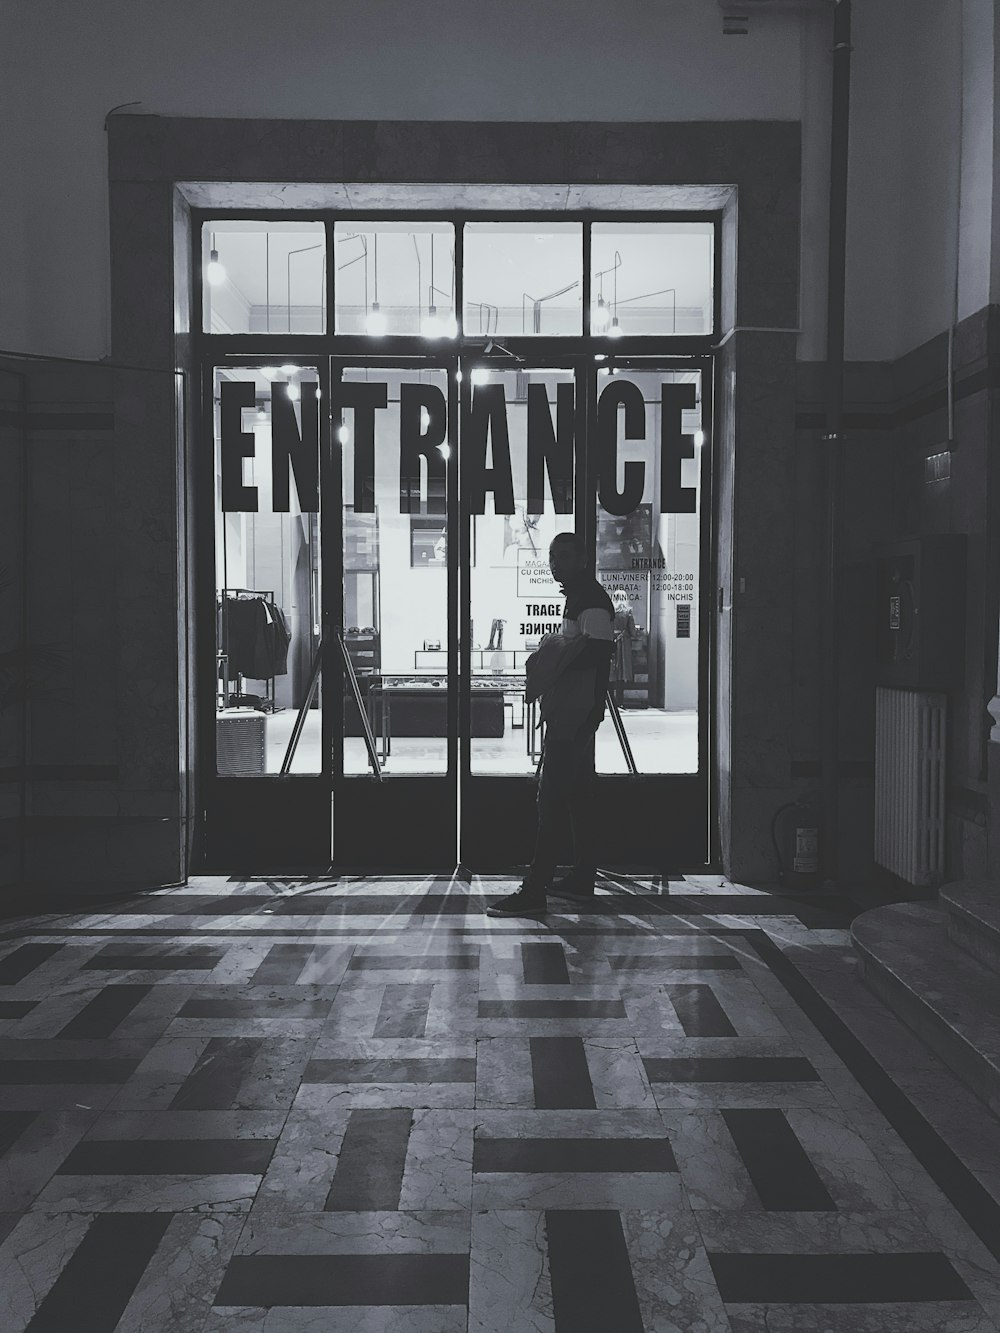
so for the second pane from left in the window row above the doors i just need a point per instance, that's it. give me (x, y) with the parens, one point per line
(395, 278)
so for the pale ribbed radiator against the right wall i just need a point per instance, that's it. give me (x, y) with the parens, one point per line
(910, 747)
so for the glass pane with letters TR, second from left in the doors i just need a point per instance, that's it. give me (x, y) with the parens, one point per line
(395, 569)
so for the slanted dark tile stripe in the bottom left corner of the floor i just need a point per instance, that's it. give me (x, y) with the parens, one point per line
(98, 1282)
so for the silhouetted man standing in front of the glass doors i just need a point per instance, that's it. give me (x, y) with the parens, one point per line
(570, 676)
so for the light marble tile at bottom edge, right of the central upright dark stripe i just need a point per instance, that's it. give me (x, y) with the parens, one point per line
(673, 1276)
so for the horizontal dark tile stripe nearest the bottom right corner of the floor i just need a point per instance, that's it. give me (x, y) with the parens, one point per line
(837, 1279)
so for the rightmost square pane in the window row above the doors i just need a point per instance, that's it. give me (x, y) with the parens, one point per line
(651, 278)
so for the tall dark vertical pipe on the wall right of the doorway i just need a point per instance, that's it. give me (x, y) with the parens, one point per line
(834, 435)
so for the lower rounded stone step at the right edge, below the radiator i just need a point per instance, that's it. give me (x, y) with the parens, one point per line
(950, 1000)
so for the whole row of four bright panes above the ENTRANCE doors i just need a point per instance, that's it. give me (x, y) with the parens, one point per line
(461, 278)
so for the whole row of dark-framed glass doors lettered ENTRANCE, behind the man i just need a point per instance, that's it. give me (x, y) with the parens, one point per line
(382, 581)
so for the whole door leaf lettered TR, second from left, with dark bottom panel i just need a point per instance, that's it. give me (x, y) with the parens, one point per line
(393, 650)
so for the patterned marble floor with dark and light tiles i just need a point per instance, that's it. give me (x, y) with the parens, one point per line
(365, 1106)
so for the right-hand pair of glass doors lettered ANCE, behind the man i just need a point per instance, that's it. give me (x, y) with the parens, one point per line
(619, 455)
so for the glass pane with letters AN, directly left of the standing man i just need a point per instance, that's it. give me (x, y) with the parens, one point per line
(514, 599)
